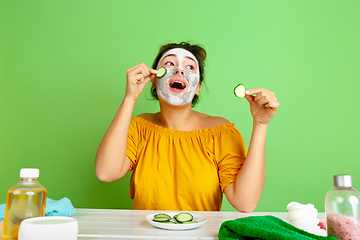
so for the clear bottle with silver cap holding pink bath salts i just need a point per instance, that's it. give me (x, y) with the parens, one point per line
(342, 208)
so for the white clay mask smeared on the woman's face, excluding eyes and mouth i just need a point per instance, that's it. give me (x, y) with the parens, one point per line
(192, 79)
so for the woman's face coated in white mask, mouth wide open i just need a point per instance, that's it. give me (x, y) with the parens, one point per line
(181, 81)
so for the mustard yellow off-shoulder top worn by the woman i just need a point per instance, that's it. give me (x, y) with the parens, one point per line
(182, 170)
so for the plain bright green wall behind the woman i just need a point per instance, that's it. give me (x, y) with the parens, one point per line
(62, 79)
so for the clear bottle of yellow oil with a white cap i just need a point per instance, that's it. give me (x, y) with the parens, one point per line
(24, 200)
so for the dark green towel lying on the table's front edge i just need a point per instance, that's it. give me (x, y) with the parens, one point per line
(263, 227)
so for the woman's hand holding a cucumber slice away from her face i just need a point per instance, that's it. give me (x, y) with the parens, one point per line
(263, 104)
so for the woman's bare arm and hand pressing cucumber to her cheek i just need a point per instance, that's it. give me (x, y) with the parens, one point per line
(111, 162)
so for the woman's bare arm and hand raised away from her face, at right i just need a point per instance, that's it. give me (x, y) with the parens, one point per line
(244, 194)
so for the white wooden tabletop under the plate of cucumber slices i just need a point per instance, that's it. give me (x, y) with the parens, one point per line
(102, 224)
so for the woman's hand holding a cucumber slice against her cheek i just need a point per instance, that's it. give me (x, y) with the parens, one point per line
(137, 77)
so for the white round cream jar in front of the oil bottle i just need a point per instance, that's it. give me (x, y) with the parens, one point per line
(45, 228)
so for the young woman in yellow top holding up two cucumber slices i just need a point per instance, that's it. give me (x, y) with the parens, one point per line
(183, 159)
